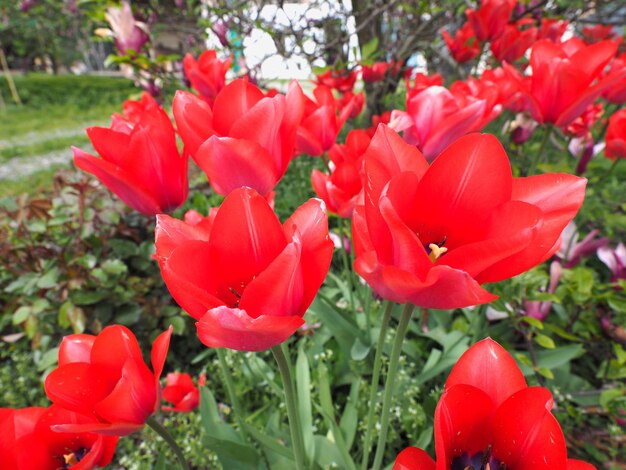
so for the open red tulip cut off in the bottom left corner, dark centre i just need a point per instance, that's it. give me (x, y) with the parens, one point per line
(28, 443)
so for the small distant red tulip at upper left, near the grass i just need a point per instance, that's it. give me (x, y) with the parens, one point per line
(208, 74)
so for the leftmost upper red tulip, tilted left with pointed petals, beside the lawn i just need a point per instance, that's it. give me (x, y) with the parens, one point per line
(139, 158)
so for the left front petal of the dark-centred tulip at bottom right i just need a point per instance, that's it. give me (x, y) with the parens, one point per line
(462, 422)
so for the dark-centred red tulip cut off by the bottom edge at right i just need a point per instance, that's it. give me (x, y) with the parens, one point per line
(488, 417)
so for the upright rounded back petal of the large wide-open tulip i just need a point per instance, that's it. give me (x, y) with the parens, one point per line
(464, 184)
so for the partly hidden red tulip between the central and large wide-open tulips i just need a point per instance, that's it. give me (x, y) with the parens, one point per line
(341, 189)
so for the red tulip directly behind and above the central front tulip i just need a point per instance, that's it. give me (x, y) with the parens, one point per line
(247, 139)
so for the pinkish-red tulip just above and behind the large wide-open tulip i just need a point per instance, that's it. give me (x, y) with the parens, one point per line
(435, 117)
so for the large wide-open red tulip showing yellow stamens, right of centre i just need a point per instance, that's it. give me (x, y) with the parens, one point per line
(430, 235)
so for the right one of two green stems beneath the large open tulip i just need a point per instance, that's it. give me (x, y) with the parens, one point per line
(403, 326)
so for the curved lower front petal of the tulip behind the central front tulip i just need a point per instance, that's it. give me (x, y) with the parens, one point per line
(233, 163)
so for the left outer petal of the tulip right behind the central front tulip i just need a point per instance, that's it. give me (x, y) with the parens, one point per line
(194, 119)
